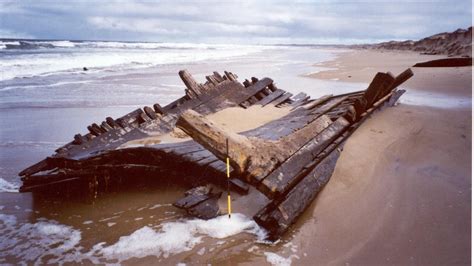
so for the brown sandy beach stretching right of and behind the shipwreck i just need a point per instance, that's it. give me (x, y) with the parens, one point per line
(401, 191)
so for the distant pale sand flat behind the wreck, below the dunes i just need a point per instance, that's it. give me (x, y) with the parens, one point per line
(361, 66)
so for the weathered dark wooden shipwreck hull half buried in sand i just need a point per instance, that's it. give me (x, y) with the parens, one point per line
(289, 159)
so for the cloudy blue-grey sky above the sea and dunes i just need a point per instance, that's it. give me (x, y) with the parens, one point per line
(245, 22)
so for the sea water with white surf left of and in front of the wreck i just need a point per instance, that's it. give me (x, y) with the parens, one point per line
(46, 97)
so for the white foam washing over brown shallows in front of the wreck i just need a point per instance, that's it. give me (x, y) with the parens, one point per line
(48, 241)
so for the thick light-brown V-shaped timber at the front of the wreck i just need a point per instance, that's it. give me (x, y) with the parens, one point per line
(252, 158)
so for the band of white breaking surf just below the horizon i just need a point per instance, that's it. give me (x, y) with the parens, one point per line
(22, 58)
